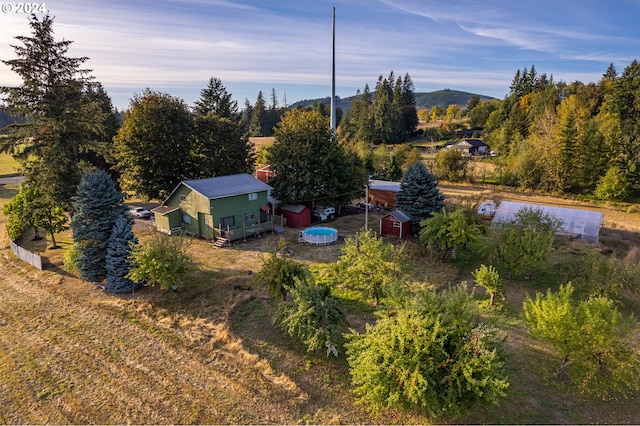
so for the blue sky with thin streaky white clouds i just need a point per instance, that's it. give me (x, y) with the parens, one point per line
(175, 46)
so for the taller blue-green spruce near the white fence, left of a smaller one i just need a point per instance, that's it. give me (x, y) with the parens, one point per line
(97, 206)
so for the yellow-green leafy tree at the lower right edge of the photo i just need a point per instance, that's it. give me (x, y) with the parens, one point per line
(594, 341)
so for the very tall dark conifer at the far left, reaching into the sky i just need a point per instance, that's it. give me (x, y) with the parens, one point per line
(59, 120)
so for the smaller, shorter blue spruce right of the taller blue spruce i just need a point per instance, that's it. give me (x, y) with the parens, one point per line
(117, 258)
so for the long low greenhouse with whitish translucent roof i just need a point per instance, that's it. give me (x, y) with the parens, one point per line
(581, 224)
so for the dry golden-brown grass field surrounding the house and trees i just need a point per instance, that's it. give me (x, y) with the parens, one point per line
(208, 353)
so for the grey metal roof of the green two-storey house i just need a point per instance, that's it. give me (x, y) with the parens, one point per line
(227, 186)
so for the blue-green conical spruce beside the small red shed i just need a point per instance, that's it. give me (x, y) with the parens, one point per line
(419, 195)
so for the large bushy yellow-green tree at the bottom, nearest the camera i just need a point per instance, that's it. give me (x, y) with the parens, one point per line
(431, 354)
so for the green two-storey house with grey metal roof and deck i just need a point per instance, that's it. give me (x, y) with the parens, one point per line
(225, 208)
